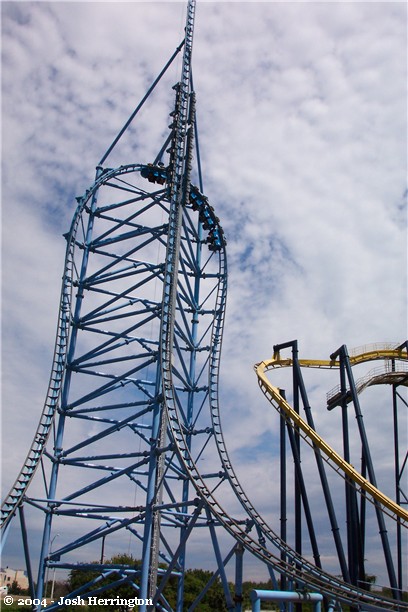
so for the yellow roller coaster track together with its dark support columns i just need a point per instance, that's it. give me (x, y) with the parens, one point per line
(360, 486)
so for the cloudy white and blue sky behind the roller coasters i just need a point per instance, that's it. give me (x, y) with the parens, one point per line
(302, 115)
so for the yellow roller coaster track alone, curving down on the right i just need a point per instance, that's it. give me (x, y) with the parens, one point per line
(273, 393)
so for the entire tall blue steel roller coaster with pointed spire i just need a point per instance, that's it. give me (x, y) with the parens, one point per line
(134, 388)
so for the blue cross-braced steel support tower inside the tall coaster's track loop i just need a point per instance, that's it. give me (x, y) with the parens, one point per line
(181, 242)
